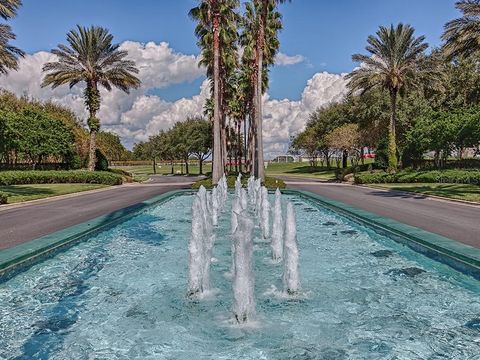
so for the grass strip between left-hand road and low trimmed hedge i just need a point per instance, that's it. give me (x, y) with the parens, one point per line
(19, 193)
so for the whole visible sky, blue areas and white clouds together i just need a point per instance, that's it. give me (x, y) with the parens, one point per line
(317, 42)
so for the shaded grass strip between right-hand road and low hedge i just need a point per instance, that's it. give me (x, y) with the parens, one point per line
(453, 191)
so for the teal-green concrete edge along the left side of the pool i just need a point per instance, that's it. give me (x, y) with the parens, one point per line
(28, 253)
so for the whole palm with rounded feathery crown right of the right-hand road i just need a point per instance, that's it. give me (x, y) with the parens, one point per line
(394, 62)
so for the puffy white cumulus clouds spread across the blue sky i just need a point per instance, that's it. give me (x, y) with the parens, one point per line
(138, 115)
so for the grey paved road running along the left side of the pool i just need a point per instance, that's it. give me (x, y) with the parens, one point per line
(19, 224)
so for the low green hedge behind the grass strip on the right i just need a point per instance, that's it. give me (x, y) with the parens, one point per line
(436, 176)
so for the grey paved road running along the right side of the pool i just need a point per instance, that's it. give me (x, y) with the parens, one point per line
(454, 220)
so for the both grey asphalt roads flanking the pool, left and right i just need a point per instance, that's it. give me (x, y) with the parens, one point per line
(22, 223)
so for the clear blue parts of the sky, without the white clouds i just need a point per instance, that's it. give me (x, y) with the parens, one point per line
(325, 32)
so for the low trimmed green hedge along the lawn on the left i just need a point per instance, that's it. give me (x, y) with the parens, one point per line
(58, 177)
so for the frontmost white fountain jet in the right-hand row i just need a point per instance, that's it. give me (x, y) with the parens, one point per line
(291, 281)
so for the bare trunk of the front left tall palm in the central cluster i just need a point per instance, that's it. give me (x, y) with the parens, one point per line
(217, 166)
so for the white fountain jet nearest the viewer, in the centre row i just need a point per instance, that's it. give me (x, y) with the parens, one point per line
(243, 282)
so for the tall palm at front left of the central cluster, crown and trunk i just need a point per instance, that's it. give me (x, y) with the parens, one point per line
(216, 33)
